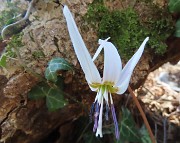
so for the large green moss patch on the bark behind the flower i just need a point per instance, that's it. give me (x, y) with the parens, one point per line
(126, 29)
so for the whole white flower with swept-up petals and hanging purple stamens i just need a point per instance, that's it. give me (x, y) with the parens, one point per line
(114, 80)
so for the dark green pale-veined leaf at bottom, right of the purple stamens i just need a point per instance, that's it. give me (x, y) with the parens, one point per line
(128, 131)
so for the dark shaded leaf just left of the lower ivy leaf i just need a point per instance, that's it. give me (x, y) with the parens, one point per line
(39, 91)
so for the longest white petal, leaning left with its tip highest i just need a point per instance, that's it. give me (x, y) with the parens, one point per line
(91, 73)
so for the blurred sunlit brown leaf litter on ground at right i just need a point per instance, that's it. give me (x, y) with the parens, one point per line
(161, 96)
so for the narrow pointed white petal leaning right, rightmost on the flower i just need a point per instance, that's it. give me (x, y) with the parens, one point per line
(128, 69)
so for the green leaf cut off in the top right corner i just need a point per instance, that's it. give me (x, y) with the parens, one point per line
(174, 6)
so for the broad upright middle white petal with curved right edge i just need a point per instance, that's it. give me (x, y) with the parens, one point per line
(112, 63)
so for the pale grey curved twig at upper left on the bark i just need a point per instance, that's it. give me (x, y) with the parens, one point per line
(3, 32)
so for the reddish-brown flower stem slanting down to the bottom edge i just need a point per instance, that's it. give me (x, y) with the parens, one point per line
(142, 114)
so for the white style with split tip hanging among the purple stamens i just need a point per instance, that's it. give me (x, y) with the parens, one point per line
(99, 128)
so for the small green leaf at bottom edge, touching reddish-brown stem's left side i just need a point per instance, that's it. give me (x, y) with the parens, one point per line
(145, 138)
